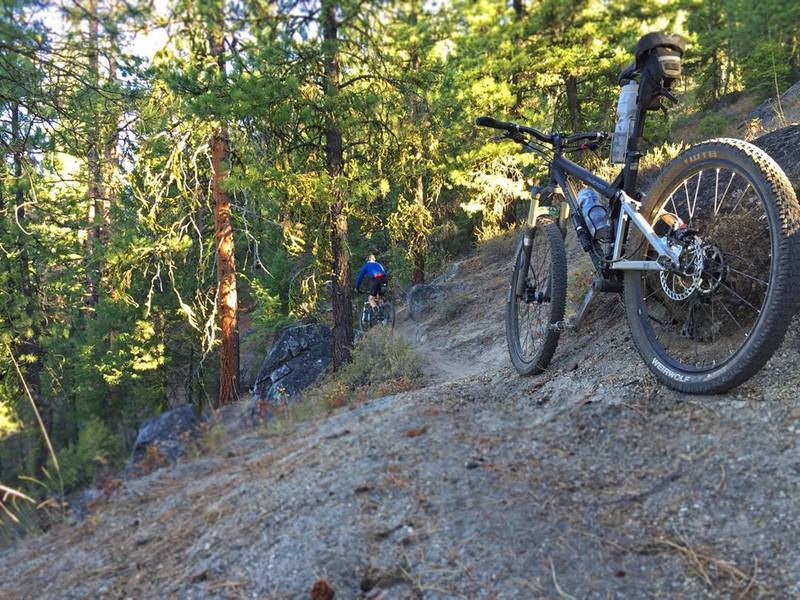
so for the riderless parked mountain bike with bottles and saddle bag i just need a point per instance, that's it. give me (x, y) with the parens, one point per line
(707, 261)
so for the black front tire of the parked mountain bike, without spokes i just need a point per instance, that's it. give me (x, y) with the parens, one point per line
(547, 235)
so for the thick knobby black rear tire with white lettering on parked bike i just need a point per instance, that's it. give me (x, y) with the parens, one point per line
(774, 192)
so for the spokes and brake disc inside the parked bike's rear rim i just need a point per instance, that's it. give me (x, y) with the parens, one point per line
(694, 330)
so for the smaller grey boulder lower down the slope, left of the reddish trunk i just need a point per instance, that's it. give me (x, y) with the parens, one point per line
(163, 439)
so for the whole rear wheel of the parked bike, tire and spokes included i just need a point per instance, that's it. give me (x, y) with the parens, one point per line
(714, 326)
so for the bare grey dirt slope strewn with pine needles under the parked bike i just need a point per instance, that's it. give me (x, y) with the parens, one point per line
(588, 482)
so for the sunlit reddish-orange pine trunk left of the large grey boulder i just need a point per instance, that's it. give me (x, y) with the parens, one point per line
(226, 265)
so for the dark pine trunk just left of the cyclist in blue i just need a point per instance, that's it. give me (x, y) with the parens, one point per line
(334, 158)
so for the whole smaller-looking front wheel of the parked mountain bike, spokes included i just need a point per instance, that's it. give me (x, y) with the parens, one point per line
(535, 316)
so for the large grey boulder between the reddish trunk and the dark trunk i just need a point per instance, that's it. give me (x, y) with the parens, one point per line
(299, 355)
